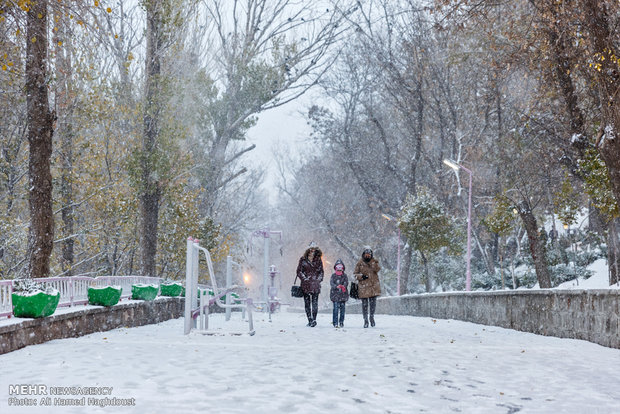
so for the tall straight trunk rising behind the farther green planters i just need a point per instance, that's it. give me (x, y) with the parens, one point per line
(151, 190)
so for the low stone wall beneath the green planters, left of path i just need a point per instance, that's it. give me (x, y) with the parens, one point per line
(86, 321)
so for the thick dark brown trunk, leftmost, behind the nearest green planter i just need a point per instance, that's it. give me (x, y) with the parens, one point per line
(40, 132)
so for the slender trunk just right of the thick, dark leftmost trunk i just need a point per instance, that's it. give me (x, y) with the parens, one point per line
(64, 104)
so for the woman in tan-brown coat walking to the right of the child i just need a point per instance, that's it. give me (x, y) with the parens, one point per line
(367, 273)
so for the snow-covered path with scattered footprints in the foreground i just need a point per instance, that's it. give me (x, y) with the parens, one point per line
(404, 365)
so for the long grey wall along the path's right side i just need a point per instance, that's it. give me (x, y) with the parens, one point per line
(591, 315)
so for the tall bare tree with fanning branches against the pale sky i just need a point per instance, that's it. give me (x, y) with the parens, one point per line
(264, 54)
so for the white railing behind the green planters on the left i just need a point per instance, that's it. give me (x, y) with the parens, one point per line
(73, 289)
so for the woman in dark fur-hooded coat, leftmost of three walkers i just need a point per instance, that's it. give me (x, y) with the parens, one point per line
(310, 272)
